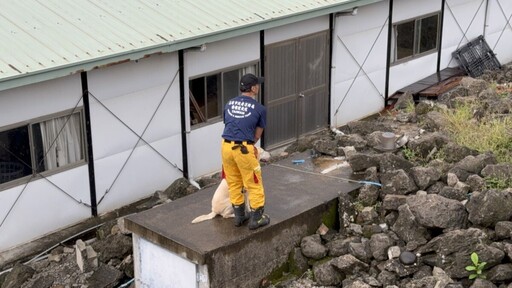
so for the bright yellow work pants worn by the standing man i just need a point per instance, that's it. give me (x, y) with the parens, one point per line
(243, 170)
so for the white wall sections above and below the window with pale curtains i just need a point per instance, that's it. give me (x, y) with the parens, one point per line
(41, 206)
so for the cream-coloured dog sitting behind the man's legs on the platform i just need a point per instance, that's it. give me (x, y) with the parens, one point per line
(220, 201)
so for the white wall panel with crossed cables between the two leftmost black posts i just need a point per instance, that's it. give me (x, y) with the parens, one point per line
(128, 101)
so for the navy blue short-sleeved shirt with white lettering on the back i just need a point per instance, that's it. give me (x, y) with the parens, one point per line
(242, 115)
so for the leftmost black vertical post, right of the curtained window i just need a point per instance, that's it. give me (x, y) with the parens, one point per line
(88, 132)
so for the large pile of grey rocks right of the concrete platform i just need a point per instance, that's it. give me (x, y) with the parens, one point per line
(420, 227)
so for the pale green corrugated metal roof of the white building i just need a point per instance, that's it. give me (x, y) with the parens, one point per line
(45, 39)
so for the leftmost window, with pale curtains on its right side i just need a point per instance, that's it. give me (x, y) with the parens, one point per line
(40, 146)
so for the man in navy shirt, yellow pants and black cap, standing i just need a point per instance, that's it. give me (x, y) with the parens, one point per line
(244, 120)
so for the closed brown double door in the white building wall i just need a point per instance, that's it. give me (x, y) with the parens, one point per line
(296, 88)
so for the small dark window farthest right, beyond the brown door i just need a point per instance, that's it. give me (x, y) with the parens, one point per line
(416, 37)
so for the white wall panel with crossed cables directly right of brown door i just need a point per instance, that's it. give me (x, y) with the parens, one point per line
(359, 64)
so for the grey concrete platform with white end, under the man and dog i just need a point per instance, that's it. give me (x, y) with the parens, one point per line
(297, 195)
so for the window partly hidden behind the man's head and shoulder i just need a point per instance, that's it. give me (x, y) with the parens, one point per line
(208, 94)
